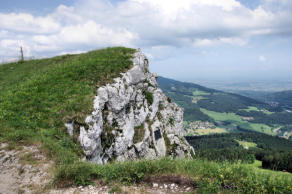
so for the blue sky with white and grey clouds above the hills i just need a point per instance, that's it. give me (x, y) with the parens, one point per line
(184, 39)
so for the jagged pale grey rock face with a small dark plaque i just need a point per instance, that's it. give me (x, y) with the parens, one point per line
(133, 119)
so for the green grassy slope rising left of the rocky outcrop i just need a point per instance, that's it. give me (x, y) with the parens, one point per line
(38, 96)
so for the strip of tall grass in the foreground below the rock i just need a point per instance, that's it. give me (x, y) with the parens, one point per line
(206, 176)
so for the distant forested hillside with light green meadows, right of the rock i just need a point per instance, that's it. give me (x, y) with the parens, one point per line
(227, 111)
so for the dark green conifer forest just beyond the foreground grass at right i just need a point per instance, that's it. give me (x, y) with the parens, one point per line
(274, 152)
